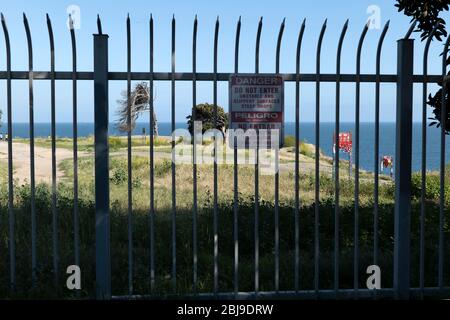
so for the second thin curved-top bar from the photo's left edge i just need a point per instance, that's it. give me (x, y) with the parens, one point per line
(32, 165)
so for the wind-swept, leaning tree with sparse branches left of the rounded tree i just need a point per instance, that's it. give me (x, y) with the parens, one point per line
(139, 102)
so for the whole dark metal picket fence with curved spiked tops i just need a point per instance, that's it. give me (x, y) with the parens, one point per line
(100, 76)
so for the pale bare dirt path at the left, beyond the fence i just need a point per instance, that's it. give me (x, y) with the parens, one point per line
(43, 161)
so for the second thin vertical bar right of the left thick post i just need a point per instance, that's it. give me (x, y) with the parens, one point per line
(152, 167)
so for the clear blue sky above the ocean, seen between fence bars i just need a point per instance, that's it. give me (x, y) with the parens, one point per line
(113, 14)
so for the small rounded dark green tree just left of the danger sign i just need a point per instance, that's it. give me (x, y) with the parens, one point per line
(205, 113)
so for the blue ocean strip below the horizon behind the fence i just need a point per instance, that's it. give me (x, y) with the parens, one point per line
(307, 134)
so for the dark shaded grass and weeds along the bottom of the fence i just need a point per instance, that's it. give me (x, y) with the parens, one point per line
(163, 224)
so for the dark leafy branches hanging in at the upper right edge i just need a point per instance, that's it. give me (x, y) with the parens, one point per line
(426, 13)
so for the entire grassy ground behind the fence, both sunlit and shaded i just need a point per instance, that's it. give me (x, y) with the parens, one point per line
(184, 215)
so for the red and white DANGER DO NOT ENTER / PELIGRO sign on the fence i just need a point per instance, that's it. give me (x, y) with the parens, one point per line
(257, 102)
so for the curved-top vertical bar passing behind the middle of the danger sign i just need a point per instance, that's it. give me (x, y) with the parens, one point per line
(258, 39)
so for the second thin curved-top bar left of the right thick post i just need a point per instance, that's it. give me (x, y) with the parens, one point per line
(357, 125)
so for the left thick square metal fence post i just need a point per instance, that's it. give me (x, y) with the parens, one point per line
(102, 226)
